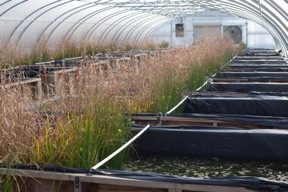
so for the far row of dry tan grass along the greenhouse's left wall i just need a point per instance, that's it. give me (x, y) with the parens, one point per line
(11, 55)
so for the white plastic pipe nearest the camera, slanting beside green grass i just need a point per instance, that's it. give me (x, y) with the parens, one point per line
(120, 149)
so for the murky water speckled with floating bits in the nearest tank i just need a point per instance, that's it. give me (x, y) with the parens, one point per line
(208, 168)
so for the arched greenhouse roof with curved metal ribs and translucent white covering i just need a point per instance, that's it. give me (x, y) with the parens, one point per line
(134, 20)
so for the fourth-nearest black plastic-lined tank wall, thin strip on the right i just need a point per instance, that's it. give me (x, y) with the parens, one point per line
(252, 74)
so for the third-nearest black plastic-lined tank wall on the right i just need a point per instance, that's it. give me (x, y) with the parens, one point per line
(245, 87)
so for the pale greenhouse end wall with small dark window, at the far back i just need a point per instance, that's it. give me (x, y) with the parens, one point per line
(208, 23)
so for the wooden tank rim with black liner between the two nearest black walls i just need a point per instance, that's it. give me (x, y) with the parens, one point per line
(212, 120)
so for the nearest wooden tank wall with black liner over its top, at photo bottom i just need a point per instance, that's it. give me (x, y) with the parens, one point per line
(51, 178)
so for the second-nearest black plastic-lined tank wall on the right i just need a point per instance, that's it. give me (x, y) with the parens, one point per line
(256, 105)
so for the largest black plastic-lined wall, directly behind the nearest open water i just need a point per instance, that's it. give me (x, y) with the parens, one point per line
(223, 142)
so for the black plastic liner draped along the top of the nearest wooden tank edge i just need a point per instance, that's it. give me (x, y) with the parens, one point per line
(246, 182)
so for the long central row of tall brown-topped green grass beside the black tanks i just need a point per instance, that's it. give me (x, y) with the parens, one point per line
(82, 128)
